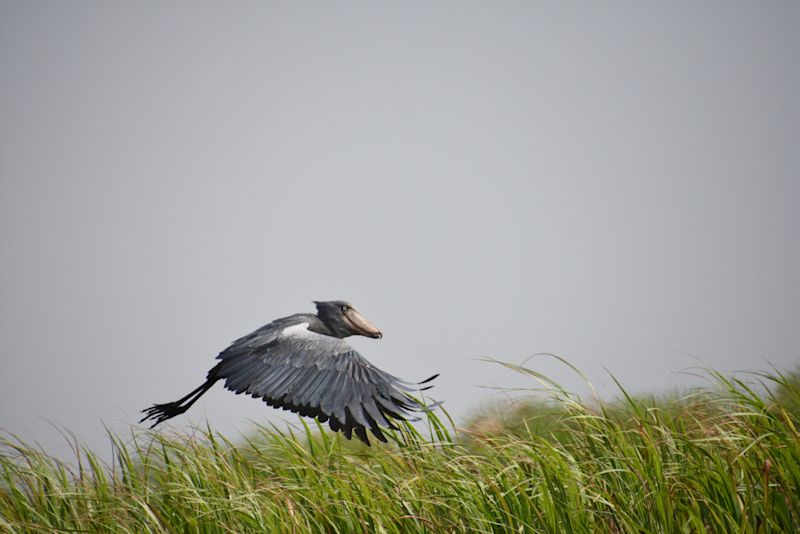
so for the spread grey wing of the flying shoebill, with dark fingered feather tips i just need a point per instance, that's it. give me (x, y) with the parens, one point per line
(315, 375)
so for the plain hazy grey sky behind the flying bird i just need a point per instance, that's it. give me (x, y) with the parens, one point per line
(617, 183)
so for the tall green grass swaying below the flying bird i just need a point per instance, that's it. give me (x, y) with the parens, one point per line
(726, 459)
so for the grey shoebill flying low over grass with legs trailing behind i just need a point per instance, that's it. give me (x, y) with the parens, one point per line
(301, 363)
